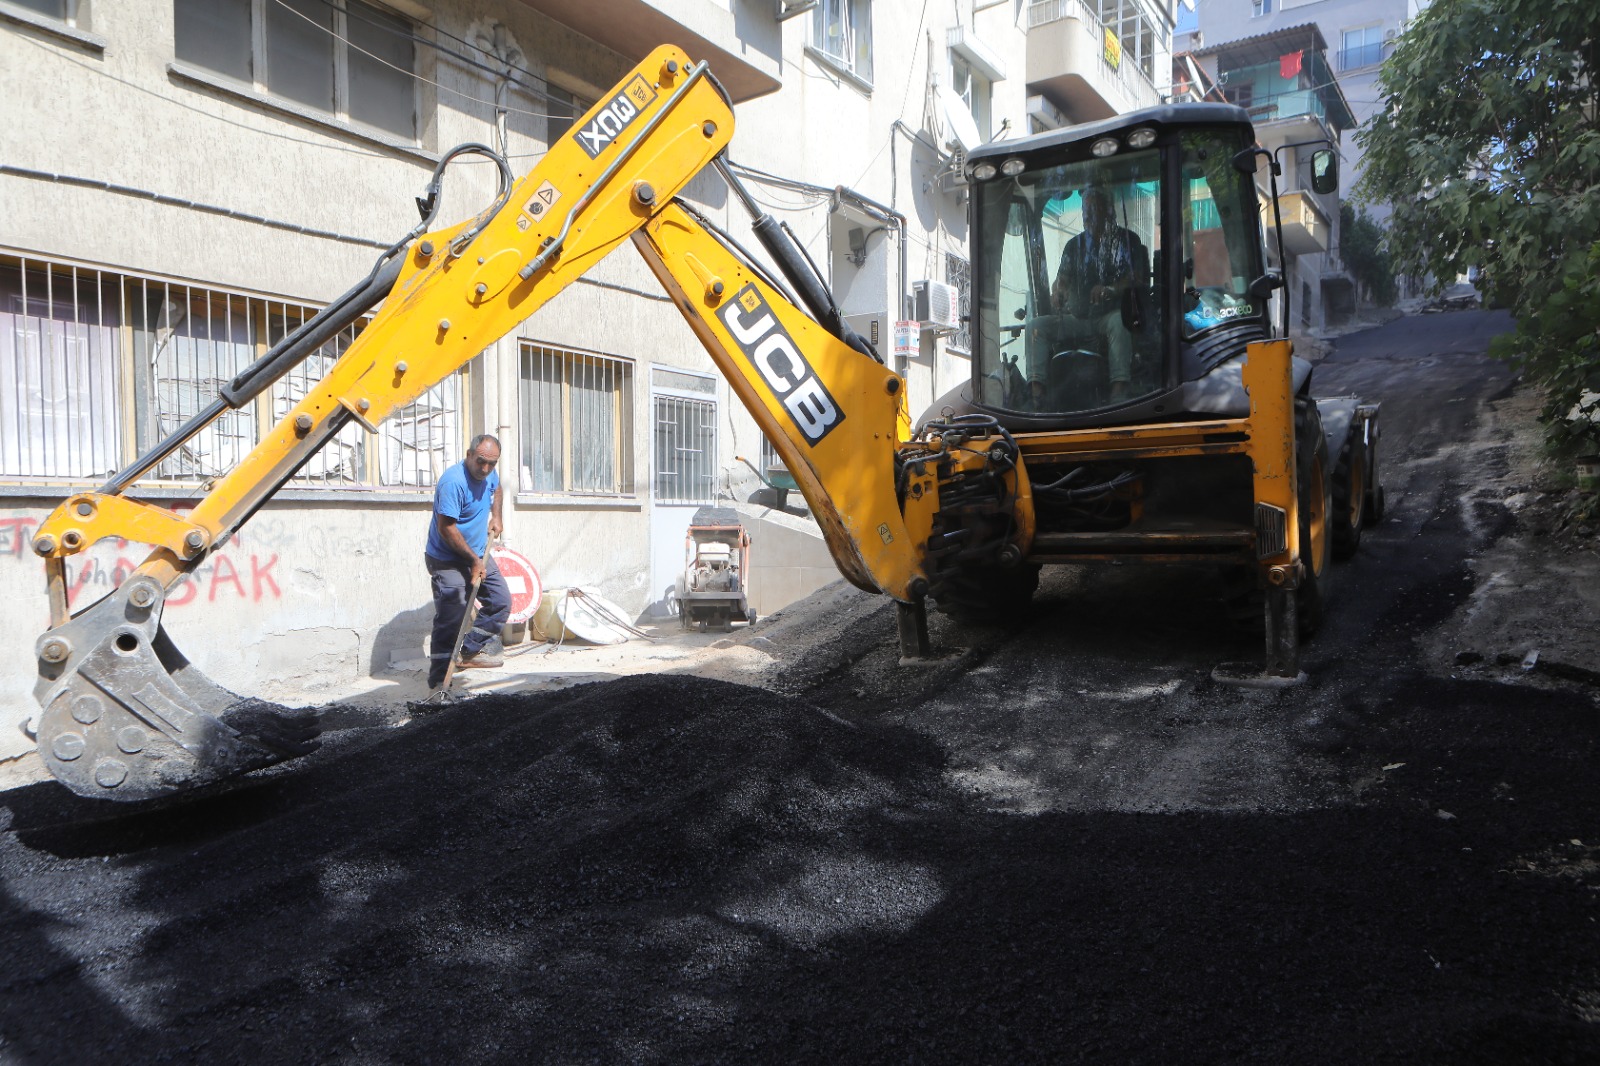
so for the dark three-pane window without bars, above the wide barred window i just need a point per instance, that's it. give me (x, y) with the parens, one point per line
(346, 58)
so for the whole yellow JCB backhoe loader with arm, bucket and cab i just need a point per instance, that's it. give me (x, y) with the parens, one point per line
(1022, 470)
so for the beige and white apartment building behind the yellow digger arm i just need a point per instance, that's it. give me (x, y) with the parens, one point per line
(185, 182)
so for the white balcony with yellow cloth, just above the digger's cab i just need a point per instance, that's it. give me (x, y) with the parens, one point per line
(1066, 63)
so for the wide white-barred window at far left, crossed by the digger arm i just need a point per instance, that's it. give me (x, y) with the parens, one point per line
(98, 367)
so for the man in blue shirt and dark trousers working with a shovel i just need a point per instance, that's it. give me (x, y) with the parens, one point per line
(466, 518)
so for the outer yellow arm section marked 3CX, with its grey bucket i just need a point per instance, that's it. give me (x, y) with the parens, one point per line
(124, 713)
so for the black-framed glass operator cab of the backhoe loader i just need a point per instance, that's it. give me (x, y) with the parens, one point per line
(1113, 263)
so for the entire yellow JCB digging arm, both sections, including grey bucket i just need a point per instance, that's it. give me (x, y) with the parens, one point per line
(126, 716)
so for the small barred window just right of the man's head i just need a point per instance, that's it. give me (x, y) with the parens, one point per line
(577, 422)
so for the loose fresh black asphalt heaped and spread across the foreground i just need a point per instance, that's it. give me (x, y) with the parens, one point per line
(668, 870)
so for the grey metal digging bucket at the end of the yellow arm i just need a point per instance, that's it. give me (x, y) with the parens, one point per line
(127, 718)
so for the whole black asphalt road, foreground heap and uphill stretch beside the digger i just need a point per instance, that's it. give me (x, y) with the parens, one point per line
(1065, 843)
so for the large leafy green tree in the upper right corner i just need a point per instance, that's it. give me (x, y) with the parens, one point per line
(1489, 151)
